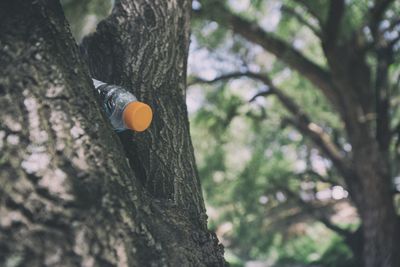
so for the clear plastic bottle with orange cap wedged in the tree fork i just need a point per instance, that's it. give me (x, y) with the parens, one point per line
(122, 108)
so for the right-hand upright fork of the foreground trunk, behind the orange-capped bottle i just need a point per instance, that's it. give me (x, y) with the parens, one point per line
(143, 45)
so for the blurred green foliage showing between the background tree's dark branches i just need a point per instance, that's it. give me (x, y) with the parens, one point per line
(254, 166)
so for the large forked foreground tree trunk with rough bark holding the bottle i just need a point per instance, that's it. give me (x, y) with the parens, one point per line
(73, 194)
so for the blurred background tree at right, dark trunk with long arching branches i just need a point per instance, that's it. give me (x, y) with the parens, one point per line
(359, 94)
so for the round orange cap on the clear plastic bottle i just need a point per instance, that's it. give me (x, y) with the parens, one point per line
(137, 116)
